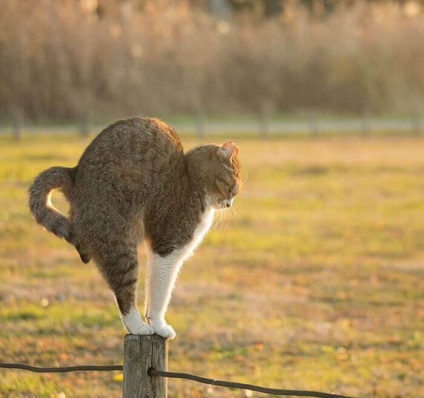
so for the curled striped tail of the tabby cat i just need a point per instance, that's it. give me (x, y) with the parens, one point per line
(40, 200)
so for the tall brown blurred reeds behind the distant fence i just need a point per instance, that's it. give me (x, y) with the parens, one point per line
(84, 61)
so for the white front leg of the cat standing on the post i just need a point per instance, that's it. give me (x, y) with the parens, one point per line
(161, 276)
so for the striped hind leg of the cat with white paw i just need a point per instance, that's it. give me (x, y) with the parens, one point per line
(120, 270)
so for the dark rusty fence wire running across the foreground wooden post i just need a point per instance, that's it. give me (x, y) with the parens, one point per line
(174, 375)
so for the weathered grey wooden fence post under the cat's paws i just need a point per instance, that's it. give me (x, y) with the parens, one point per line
(140, 354)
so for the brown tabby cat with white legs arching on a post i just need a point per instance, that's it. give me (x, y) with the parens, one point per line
(134, 183)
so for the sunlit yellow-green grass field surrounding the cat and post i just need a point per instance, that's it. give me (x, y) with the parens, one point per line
(315, 281)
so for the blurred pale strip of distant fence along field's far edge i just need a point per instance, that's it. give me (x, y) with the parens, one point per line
(261, 127)
